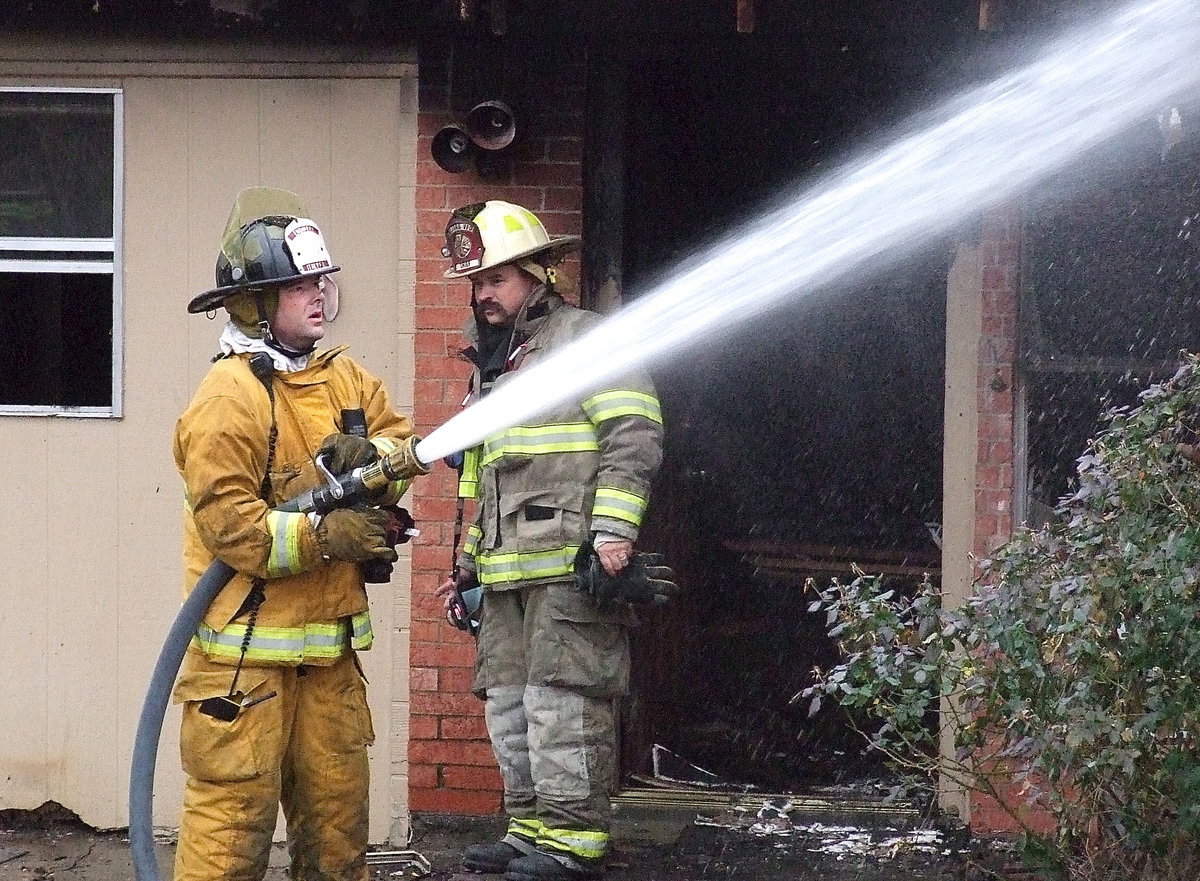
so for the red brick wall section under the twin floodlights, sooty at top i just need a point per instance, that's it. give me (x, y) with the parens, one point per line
(451, 762)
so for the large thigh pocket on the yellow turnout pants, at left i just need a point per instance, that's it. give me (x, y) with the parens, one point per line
(217, 751)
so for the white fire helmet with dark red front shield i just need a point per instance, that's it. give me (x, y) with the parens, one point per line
(490, 233)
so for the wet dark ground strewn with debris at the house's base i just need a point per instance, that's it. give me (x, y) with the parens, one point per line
(652, 844)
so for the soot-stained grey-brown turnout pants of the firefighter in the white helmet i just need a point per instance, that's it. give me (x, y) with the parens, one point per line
(550, 667)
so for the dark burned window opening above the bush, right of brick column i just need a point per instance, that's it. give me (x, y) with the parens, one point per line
(1111, 295)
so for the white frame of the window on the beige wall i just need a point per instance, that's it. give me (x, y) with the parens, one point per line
(112, 267)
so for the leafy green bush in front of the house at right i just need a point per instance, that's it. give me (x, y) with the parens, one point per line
(1072, 670)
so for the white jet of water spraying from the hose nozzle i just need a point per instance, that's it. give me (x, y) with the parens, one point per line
(979, 149)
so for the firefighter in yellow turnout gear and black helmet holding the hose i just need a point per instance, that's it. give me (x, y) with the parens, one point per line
(274, 704)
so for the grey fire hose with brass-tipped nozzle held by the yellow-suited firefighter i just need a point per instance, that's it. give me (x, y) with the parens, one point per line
(359, 487)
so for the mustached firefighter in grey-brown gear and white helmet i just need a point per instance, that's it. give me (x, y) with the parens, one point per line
(550, 663)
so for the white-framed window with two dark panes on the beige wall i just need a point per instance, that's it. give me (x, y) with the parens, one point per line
(61, 153)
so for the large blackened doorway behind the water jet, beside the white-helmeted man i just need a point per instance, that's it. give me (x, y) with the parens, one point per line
(797, 445)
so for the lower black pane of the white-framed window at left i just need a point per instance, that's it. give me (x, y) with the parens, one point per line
(61, 339)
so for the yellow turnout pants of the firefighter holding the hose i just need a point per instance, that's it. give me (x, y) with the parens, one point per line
(305, 748)
